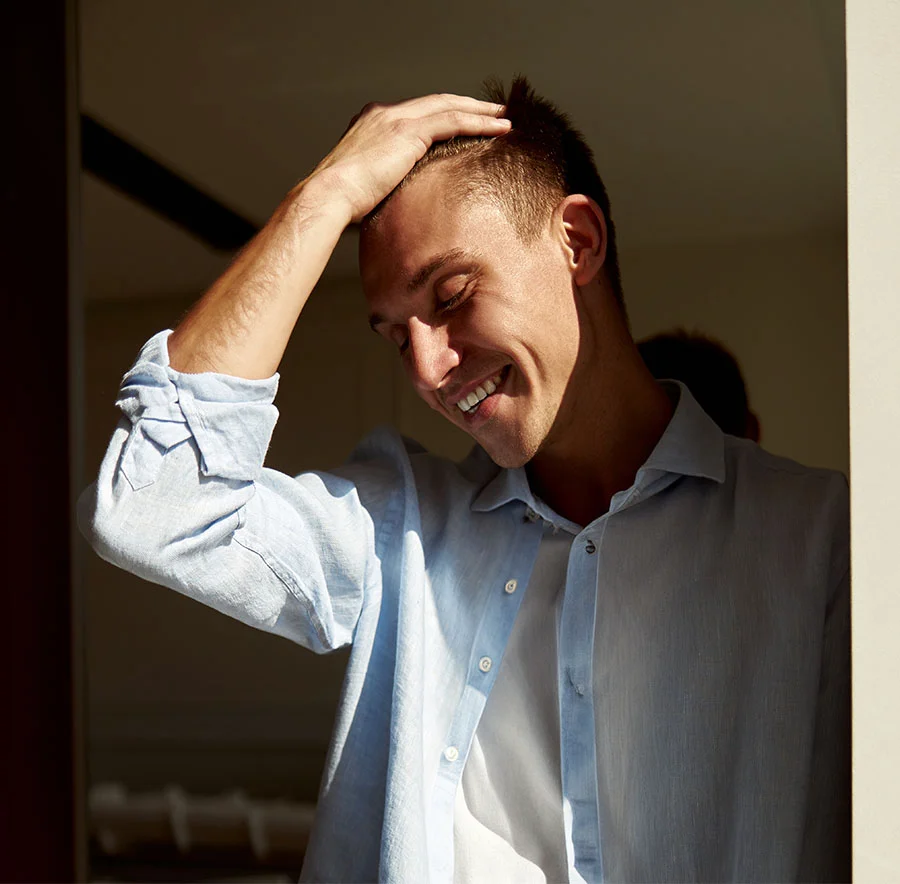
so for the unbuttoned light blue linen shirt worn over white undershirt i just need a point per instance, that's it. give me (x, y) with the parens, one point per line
(703, 666)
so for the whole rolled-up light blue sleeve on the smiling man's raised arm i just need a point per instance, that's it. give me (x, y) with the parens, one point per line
(183, 499)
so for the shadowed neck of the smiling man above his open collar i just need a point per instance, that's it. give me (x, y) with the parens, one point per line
(615, 419)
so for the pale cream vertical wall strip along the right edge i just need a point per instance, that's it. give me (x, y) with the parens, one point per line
(873, 156)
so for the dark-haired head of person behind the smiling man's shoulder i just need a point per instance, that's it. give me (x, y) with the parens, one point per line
(712, 374)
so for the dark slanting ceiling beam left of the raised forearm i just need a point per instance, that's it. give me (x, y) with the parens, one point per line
(128, 169)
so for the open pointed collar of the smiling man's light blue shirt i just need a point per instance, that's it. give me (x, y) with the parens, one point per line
(691, 445)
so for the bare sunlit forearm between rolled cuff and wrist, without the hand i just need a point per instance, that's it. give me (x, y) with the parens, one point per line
(242, 325)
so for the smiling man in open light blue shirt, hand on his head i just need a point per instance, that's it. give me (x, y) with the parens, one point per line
(611, 644)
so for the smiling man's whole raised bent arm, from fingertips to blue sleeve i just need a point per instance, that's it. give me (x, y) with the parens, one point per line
(182, 498)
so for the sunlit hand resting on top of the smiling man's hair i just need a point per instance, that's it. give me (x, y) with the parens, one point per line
(384, 141)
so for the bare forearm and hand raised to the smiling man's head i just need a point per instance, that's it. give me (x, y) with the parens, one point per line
(242, 324)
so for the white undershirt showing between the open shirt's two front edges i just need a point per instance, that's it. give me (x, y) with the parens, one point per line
(508, 818)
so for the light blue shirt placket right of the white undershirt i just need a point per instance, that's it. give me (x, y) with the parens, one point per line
(576, 708)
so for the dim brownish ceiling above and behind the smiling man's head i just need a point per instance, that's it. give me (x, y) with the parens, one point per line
(710, 120)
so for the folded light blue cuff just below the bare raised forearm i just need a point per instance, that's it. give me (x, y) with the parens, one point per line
(230, 418)
